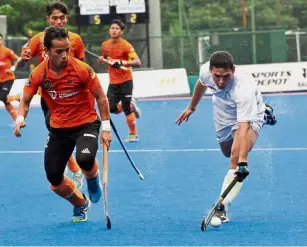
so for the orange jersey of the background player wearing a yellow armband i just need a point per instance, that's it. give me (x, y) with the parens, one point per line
(122, 50)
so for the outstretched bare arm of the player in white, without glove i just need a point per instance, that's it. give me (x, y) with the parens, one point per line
(198, 93)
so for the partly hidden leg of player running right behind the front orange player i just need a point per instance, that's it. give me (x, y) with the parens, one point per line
(72, 163)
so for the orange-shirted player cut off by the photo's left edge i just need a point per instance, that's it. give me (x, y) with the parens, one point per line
(7, 77)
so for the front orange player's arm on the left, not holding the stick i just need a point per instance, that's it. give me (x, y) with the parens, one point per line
(29, 91)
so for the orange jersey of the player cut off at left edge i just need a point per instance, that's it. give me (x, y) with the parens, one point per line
(6, 57)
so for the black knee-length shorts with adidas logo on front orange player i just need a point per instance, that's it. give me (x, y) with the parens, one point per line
(60, 146)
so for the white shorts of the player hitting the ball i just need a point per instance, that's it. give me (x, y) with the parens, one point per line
(226, 134)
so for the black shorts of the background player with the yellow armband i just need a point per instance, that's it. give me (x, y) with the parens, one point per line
(120, 92)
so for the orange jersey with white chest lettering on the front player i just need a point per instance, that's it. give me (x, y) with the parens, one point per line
(68, 95)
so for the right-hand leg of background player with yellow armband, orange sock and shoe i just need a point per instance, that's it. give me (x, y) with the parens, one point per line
(126, 89)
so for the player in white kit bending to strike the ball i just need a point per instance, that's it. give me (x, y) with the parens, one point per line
(239, 114)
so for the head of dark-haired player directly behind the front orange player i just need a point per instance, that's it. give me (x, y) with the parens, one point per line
(57, 14)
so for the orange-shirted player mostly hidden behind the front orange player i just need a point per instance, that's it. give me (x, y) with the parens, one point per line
(57, 16)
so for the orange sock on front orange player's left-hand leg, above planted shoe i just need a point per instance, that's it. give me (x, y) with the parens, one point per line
(68, 191)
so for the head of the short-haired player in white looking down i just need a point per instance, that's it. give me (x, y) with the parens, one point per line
(221, 68)
